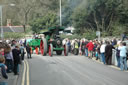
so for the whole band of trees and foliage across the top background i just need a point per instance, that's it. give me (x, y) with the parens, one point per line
(84, 15)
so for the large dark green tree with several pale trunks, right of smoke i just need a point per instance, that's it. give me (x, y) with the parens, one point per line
(96, 15)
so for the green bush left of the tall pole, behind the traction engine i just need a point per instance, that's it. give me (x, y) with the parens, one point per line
(49, 20)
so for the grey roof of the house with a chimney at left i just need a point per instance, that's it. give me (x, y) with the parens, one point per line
(13, 29)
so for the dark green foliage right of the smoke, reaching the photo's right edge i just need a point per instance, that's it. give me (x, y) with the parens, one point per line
(100, 15)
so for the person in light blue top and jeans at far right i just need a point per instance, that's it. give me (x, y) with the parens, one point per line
(123, 56)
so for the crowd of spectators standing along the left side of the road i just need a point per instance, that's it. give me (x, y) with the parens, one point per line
(11, 56)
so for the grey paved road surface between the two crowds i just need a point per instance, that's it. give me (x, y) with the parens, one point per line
(72, 70)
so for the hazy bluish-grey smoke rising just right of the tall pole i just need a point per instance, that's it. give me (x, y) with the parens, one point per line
(68, 9)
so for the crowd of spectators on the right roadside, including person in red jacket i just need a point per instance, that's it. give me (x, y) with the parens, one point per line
(101, 49)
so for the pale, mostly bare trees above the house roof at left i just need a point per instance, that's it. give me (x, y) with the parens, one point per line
(27, 10)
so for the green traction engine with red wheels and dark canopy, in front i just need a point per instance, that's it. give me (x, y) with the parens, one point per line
(52, 42)
